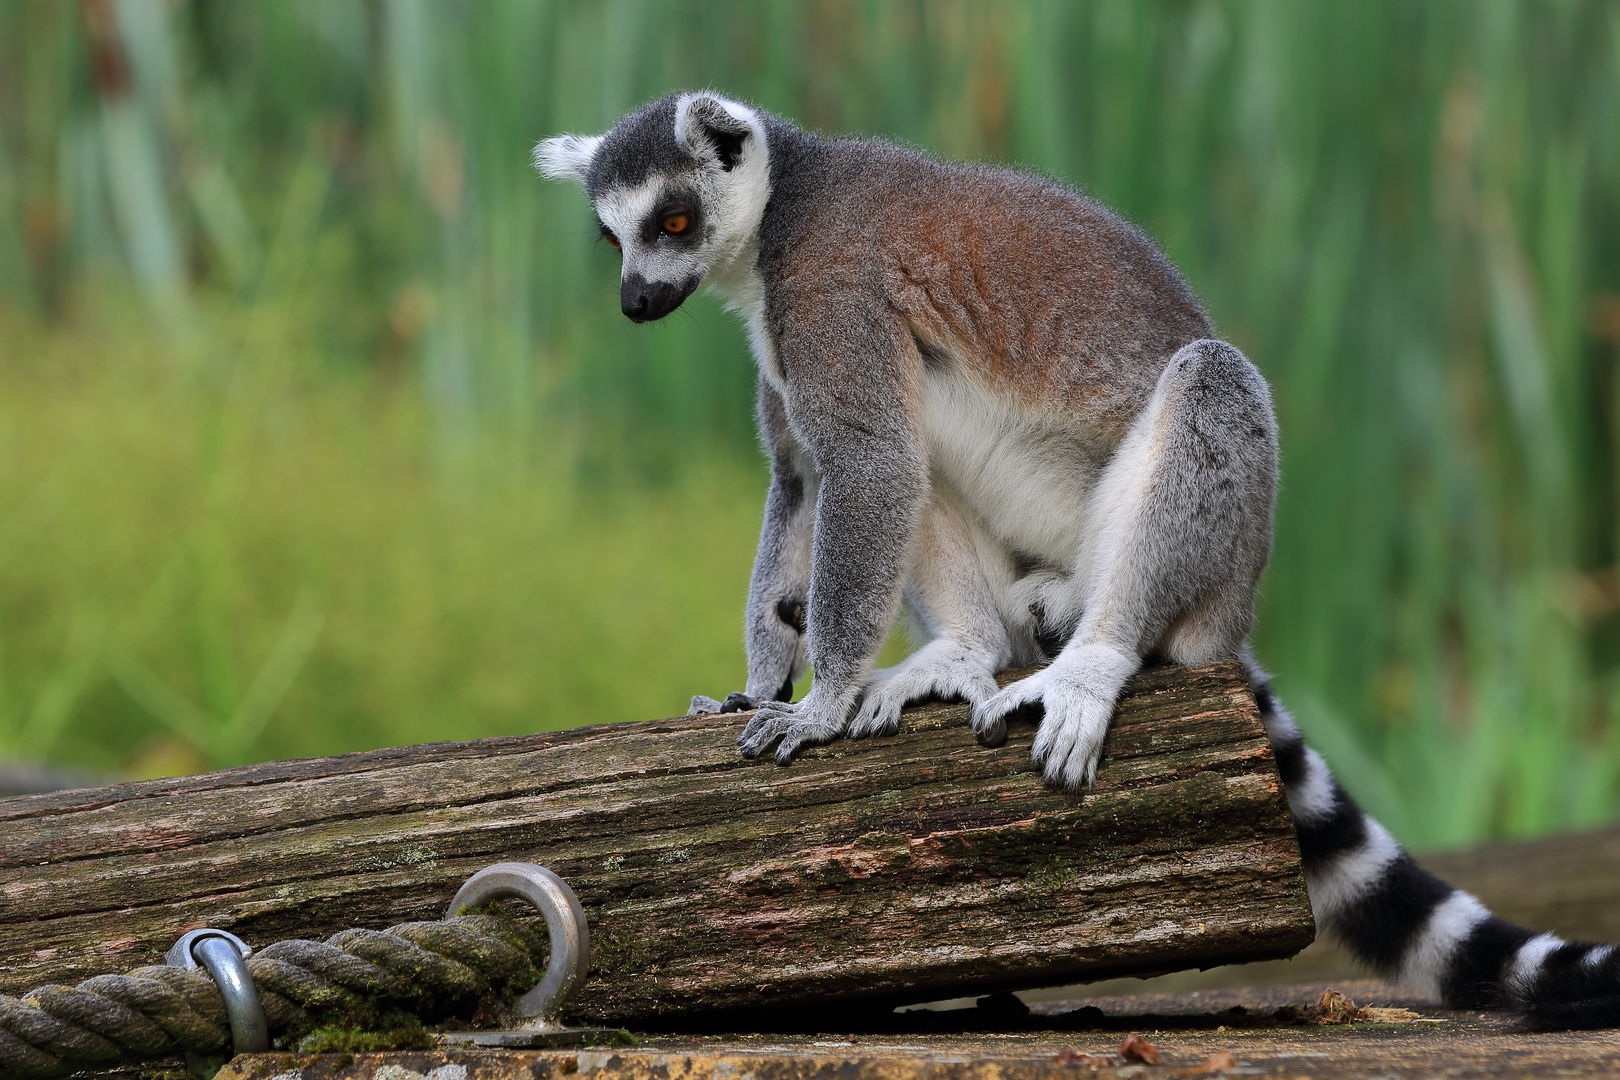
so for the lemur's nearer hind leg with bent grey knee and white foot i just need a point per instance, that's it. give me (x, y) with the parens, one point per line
(1177, 535)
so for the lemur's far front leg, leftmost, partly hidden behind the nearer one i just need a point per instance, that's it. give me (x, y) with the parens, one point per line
(780, 589)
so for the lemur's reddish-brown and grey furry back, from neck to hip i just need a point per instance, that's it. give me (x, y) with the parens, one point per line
(1013, 278)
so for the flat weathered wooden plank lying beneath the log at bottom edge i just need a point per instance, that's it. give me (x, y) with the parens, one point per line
(1193, 1034)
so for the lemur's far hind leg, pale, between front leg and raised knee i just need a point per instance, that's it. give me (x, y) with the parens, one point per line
(957, 571)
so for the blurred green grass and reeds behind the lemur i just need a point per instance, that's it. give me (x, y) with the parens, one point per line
(320, 428)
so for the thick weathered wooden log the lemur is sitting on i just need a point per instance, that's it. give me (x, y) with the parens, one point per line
(892, 870)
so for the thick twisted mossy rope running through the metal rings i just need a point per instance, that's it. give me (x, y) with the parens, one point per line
(430, 969)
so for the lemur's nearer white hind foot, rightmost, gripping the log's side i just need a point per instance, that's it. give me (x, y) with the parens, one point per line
(1078, 694)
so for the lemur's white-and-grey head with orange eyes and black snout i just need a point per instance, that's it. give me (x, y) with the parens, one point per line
(680, 189)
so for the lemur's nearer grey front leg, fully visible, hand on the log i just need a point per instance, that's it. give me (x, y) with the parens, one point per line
(850, 399)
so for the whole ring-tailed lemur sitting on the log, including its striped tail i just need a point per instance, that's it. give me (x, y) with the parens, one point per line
(986, 394)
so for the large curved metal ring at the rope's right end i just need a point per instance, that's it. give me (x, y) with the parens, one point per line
(571, 938)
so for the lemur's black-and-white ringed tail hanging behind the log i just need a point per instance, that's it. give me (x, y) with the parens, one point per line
(1409, 925)
